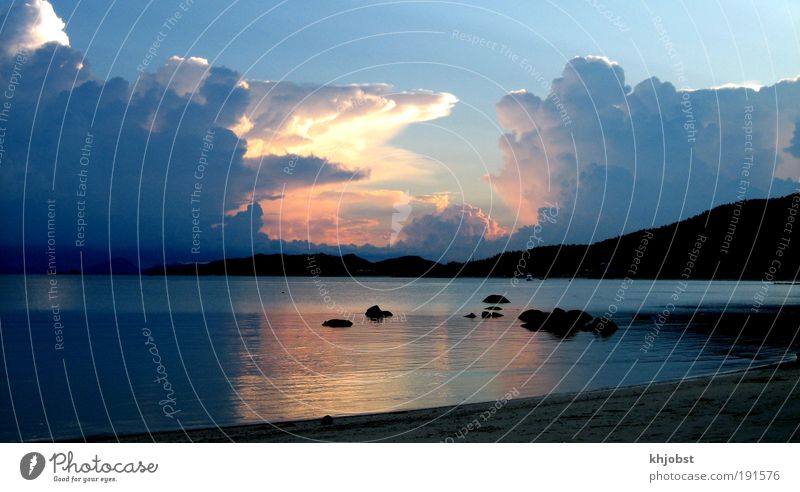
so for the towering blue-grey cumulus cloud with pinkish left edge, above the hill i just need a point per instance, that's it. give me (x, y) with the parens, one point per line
(614, 159)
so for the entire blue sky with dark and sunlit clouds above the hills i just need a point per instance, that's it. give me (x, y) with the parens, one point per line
(445, 129)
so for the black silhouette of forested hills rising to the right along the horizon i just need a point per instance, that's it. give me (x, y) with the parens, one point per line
(753, 239)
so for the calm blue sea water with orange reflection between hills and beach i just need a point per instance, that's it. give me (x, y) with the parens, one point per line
(125, 355)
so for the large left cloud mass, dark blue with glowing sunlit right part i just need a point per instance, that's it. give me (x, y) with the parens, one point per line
(188, 162)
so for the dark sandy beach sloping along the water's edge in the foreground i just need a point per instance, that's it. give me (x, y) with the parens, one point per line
(757, 405)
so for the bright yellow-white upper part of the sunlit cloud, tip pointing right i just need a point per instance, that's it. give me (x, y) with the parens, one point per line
(349, 124)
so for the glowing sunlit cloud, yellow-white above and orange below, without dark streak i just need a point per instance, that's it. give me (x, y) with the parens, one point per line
(350, 125)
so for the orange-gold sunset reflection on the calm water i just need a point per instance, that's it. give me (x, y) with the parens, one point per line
(310, 371)
